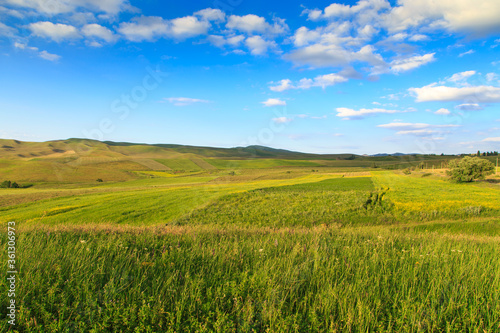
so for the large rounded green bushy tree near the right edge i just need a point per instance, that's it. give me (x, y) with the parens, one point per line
(469, 169)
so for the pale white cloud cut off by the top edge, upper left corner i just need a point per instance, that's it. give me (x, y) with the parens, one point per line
(64, 6)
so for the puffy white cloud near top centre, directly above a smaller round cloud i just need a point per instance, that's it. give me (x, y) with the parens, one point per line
(251, 24)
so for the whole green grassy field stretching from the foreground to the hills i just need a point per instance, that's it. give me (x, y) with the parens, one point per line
(232, 245)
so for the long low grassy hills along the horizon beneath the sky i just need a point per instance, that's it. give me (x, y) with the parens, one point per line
(83, 160)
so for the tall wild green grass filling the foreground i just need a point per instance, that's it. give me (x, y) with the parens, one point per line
(281, 280)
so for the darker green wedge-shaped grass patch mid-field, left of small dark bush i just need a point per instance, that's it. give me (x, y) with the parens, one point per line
(340, 201)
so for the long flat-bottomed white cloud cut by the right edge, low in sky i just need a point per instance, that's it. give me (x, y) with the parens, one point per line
(479, 94)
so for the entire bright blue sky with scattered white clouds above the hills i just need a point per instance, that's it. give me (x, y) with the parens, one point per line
(363, 76)
